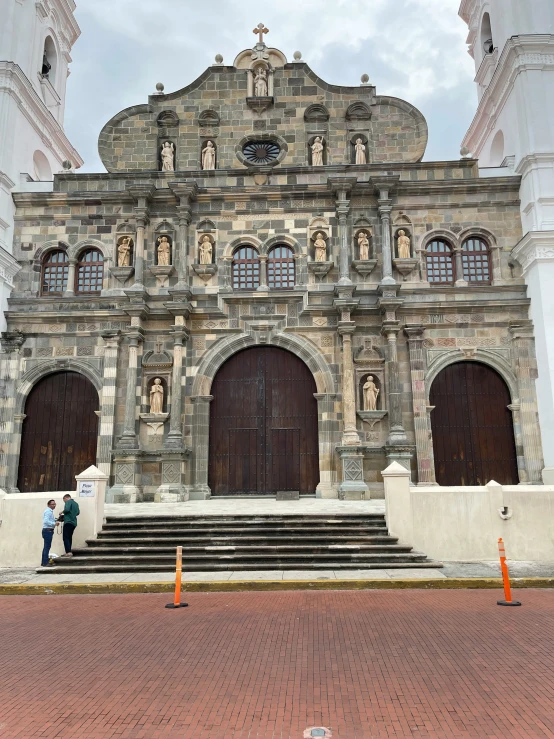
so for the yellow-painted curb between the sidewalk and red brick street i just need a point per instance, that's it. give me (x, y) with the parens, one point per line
(225, 586)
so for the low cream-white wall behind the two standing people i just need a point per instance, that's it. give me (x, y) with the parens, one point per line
(21, 522)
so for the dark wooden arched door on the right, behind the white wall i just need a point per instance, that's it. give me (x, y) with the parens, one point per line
(473, 434)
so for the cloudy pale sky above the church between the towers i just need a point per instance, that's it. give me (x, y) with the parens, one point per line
(413, 49)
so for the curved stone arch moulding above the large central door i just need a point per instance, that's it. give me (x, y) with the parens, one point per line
(225, 348)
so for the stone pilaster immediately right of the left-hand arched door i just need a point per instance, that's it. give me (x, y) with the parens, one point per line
(107, 409)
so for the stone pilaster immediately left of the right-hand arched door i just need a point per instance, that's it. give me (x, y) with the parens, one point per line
(424, 442)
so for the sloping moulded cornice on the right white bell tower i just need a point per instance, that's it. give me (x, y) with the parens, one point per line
(520, 54)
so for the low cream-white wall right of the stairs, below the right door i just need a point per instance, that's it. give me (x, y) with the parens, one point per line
(451, 523)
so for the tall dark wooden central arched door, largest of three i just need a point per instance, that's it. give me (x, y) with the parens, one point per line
(263, 425)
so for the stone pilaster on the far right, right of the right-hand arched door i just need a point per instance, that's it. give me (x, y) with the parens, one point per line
(523, 356)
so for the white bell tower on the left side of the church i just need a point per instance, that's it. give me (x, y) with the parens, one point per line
(36, 37)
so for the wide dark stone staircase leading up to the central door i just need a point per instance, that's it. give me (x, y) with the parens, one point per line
(265, 542)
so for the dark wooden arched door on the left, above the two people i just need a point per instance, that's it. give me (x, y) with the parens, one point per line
(60, 433)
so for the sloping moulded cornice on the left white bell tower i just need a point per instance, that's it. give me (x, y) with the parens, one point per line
(13, 82)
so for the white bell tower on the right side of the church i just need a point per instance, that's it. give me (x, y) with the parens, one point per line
(512, 43)
